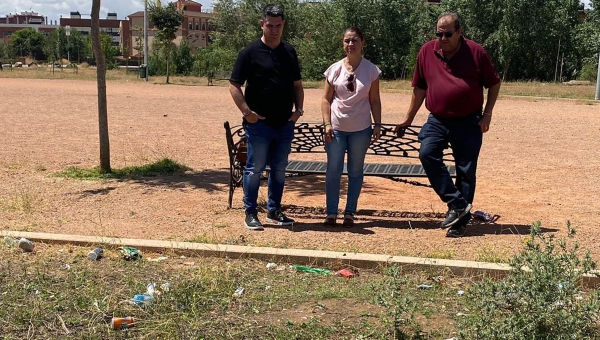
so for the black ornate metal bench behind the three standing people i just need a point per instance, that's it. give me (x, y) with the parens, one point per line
(308, 138)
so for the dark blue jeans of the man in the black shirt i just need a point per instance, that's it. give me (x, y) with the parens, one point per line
(266, 146)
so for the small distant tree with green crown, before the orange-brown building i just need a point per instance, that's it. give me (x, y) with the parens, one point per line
(167, 20)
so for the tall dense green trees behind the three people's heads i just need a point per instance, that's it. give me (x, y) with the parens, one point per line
(527, 39)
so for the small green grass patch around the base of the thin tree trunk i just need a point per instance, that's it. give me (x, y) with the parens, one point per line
(162, 167)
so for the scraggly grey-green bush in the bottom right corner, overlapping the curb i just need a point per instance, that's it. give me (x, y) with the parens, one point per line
(539, 299)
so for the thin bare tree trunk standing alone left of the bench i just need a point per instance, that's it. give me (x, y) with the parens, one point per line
(101, 80)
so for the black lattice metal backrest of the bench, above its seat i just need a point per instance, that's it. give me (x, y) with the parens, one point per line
(308, 138)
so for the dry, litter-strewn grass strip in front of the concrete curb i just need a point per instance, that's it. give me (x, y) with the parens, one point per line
(39, 289)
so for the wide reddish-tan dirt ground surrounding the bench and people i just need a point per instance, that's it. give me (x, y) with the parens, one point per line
(540, 161)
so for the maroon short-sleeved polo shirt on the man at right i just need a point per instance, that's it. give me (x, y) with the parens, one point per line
(454, 86)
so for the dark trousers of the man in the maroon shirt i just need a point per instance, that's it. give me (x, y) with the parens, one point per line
(465, 138)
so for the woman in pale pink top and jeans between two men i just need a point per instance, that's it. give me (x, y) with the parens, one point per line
(351, 98)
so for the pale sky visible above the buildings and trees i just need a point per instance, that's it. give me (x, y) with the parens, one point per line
(53, 9)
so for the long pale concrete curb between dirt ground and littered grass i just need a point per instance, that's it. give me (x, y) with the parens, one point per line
(296, 256)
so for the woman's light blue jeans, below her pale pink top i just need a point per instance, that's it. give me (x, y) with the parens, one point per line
(356, 144)
